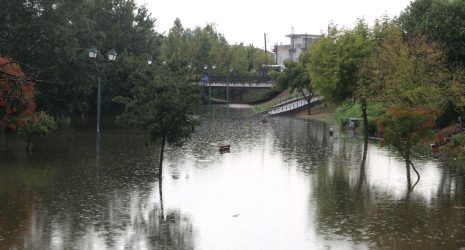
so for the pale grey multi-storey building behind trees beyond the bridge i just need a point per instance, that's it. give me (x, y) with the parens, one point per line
(292, 51)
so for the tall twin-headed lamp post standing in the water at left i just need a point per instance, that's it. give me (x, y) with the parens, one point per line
(98, 59)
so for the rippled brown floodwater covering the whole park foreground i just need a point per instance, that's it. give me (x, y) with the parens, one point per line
(285, 184)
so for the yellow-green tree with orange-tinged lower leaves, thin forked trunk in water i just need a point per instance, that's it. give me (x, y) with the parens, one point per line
(412, 81)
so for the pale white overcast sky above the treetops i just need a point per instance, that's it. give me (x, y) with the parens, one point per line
(246, 20)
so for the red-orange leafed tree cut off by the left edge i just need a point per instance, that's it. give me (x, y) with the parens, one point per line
(17, 95)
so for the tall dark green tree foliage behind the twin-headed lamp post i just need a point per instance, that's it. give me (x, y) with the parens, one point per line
(52, 38)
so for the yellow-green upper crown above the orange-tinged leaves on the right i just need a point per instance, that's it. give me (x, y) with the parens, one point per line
(411, 73)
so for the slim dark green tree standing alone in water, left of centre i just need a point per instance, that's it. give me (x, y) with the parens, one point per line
(164, 107)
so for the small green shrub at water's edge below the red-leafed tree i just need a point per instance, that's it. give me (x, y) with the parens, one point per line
(41, 124)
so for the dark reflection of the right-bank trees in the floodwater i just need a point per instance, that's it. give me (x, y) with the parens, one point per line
(346, 206)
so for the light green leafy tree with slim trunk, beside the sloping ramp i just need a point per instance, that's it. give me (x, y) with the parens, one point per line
(338, 65)
